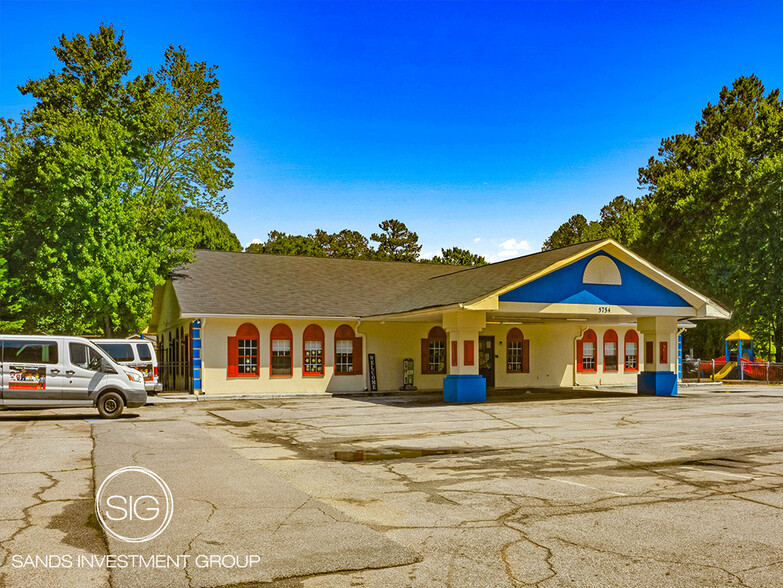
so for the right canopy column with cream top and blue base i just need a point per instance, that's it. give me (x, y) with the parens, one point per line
(660, 347)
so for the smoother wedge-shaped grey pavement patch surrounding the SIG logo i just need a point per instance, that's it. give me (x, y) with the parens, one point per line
(225, 504)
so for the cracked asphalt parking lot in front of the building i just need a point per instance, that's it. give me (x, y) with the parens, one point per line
(594, 488)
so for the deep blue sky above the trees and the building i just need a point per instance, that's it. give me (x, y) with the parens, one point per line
(479, 124)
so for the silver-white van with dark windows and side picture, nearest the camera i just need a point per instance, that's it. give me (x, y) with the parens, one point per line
(38, 371)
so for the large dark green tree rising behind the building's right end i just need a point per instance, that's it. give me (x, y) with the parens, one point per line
(714, 210)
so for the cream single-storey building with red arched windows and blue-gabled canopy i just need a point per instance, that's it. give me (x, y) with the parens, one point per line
(585, 315)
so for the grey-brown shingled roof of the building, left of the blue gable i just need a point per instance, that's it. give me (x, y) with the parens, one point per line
(247, 284)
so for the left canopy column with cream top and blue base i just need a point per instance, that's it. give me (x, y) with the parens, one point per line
(464, 384)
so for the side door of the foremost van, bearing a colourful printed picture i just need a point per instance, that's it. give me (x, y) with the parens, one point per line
(32, 371)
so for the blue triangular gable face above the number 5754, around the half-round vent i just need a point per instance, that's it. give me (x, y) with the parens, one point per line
(565, 286)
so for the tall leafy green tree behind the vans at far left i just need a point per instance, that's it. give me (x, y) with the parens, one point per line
(94, 177)
